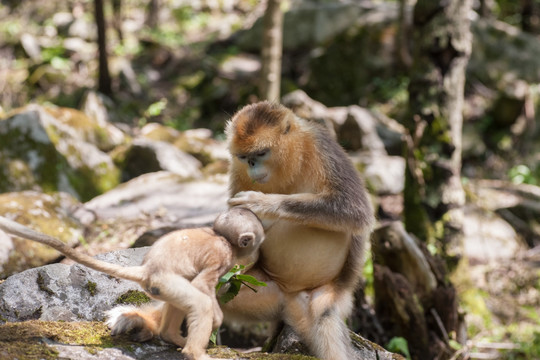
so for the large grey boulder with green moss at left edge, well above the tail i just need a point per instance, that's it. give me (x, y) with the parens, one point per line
(34, 138)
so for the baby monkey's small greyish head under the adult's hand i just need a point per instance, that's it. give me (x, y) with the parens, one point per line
(241, 227)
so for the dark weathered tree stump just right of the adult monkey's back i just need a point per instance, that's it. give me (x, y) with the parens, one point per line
(413, 298)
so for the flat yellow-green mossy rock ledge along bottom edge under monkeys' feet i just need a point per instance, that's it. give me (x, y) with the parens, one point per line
(31, 340)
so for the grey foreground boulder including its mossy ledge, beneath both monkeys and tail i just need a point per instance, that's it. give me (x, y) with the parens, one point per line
(60, 296)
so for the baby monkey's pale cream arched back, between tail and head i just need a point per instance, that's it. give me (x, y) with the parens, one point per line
(187, 252)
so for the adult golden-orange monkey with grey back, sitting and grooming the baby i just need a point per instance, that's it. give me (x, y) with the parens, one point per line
(317, 217)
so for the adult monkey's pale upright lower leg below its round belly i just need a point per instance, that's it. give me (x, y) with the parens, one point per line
(317, 317)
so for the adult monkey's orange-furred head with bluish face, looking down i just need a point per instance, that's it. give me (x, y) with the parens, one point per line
(259, 137)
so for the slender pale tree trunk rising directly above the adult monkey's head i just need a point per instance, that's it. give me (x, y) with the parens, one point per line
(271, 52)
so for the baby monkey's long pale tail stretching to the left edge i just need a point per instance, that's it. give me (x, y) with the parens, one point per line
(133, 273)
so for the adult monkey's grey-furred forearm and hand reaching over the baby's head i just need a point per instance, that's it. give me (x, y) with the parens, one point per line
(326, 211)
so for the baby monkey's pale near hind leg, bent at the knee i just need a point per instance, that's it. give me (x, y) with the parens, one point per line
(178, 292)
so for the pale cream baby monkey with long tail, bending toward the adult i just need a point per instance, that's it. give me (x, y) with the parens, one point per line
(181, 269)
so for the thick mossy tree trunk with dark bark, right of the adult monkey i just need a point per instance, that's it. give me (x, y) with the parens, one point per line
(433, 193)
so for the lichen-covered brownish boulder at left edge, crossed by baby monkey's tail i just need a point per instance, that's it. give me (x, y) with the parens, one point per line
(49, 214)
